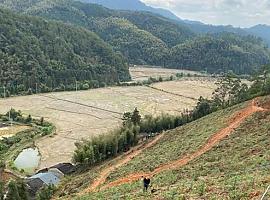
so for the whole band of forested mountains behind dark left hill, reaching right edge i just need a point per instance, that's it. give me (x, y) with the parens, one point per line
(146, 38)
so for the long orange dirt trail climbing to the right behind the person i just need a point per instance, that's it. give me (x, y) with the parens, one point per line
(234, 122)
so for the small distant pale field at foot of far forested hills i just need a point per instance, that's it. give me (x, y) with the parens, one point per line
(141, 73)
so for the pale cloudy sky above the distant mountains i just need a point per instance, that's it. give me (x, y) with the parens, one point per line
(243, 13)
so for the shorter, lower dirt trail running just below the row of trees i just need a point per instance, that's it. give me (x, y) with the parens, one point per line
(126, 158)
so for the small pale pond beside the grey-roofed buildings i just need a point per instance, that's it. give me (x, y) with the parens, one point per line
(28, 160)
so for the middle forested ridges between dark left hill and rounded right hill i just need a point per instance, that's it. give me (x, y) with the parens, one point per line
(142, 42)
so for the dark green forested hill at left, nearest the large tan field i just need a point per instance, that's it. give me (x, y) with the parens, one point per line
(35, 51)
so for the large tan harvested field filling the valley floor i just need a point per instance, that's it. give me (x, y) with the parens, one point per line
(83, 114)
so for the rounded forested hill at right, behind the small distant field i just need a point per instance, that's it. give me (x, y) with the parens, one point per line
(220, 53)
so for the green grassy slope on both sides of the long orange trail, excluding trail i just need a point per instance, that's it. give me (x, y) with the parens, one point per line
(237, 168)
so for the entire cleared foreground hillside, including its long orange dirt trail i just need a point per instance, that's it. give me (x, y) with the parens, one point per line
(222, 156)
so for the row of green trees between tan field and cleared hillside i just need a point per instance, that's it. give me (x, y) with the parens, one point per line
(109, 145)
